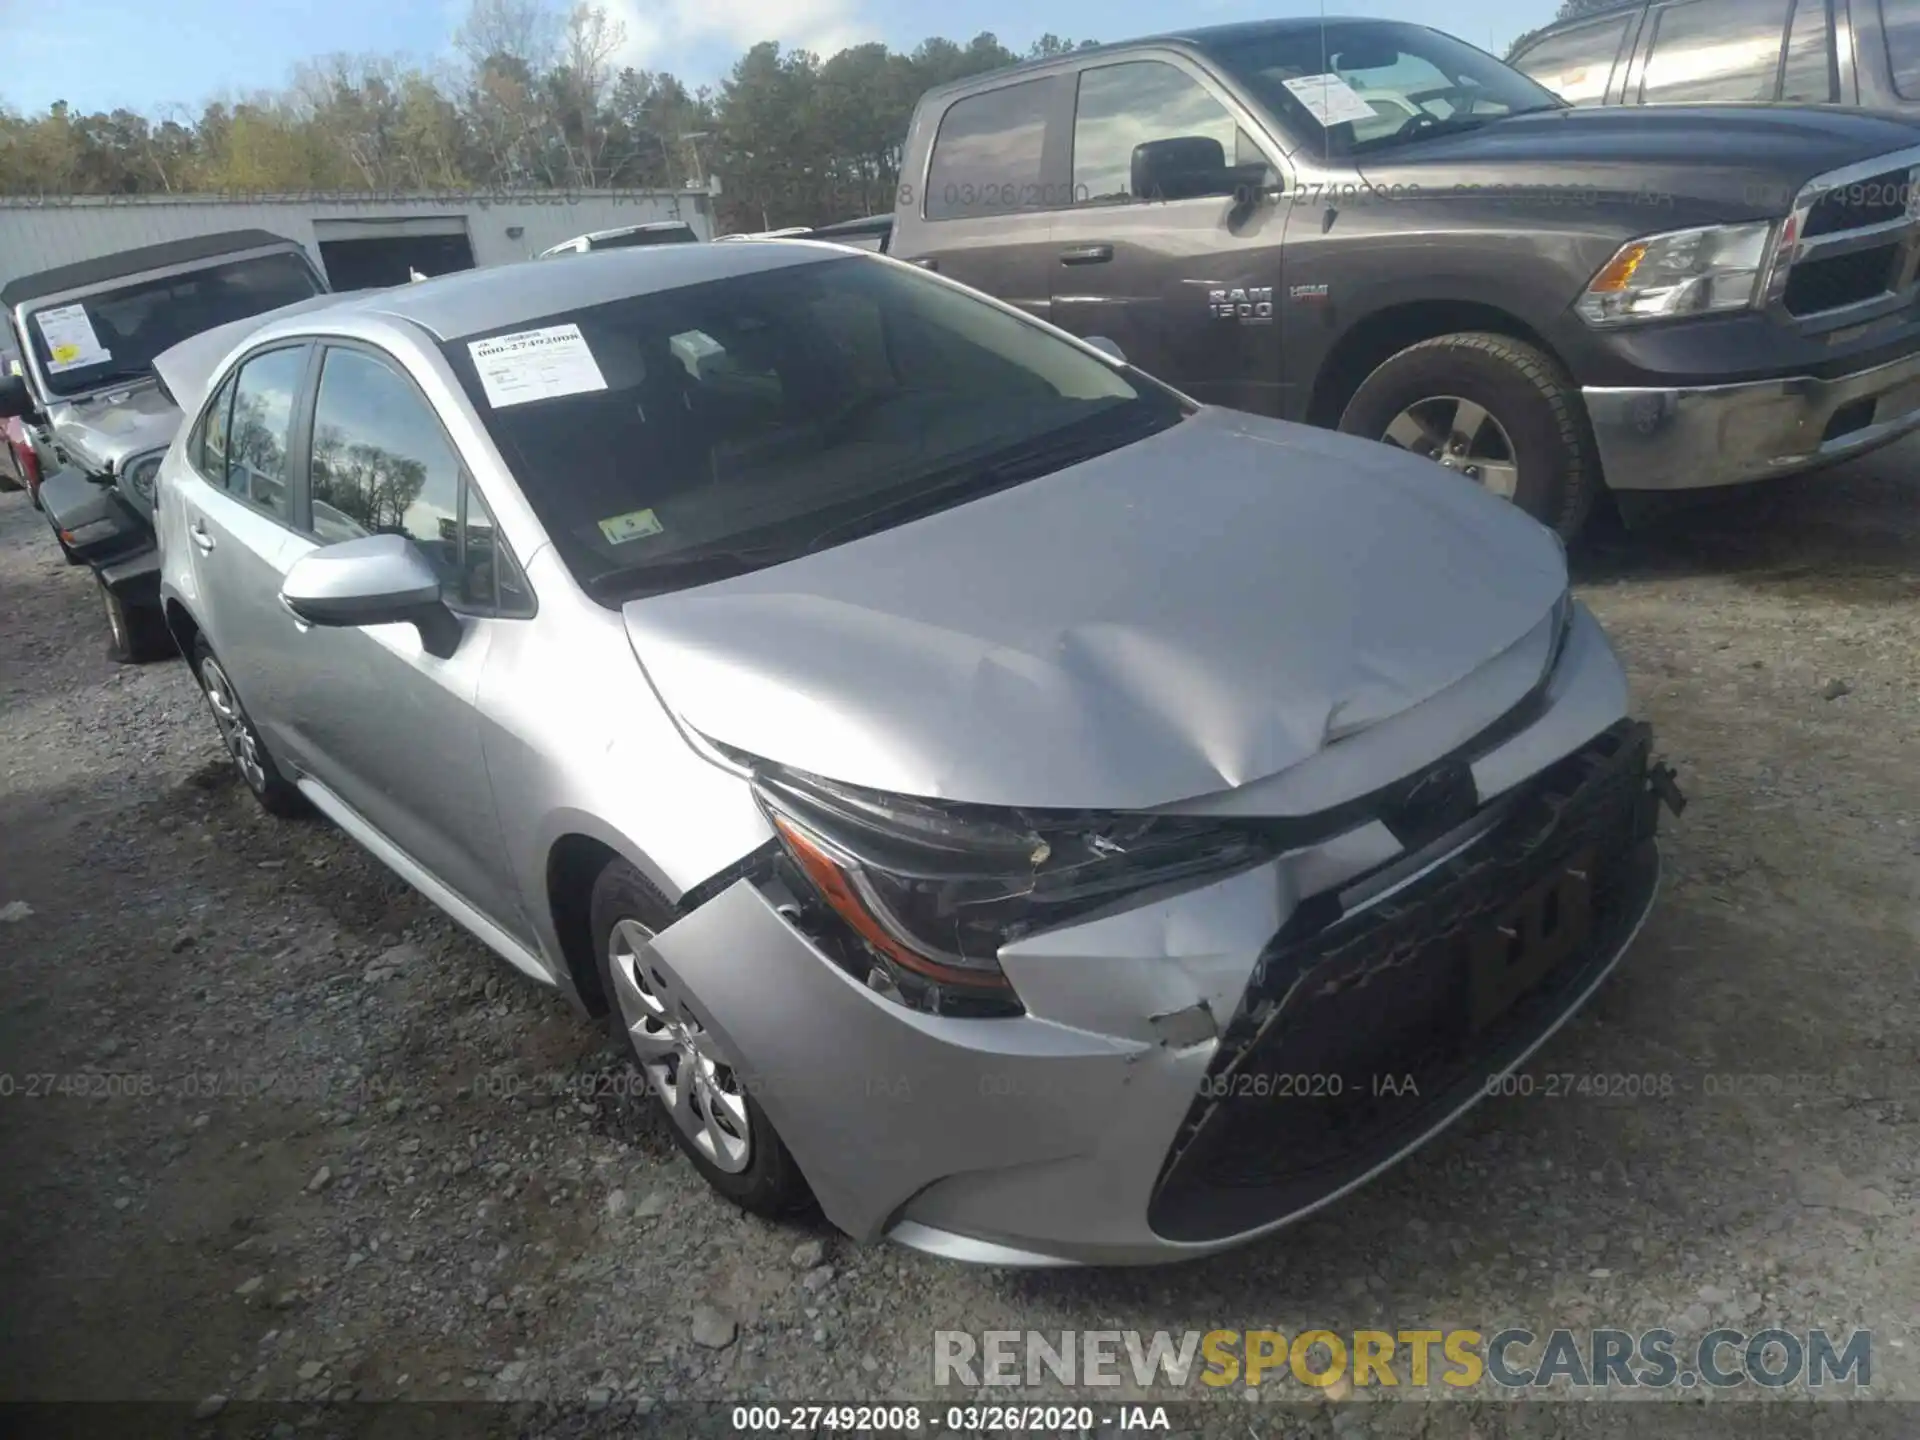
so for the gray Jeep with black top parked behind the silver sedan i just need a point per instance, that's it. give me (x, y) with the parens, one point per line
(97, 418)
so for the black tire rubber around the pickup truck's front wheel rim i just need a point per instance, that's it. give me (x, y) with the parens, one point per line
(1524, 389)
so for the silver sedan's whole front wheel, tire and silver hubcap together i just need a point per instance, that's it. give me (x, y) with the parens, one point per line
(713, 1115)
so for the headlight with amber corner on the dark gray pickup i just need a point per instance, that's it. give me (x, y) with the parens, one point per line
(1681, 274)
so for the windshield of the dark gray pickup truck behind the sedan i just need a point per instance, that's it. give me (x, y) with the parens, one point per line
(1355, 87)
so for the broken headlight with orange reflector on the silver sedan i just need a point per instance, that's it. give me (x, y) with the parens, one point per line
(932, 892)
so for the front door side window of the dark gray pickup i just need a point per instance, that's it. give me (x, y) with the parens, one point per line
(1122, 107)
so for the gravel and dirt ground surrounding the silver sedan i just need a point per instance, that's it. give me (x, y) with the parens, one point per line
(274, 1128)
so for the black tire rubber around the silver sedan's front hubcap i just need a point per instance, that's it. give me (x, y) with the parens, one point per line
(771, 1184)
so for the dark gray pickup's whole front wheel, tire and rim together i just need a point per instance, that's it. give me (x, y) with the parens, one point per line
(1495, 410)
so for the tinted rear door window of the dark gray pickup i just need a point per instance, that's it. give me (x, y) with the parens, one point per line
(988, 153)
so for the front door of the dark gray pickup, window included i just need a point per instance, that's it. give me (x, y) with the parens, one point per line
(1184, 283)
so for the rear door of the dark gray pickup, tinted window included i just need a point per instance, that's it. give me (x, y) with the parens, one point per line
(982, 214)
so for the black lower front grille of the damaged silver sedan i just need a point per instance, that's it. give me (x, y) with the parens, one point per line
(1295, 1109)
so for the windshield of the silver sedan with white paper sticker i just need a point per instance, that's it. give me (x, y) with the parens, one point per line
(696, 433)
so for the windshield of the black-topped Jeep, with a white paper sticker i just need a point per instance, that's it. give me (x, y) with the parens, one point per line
(116, 335)
